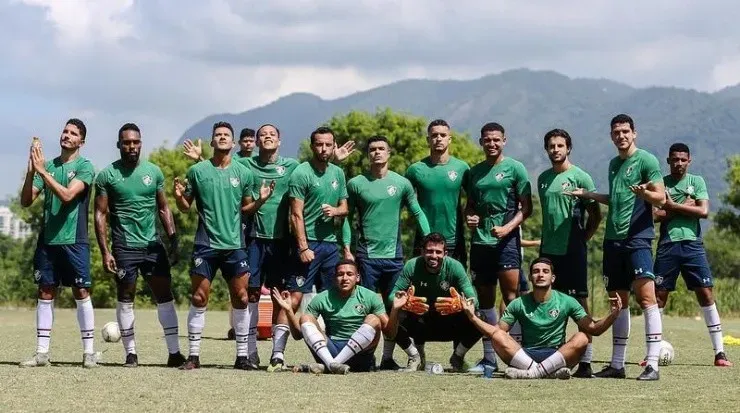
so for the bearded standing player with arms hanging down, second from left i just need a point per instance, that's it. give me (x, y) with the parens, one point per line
(131, 191)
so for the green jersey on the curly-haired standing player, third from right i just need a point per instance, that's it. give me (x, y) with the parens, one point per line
(563, 216)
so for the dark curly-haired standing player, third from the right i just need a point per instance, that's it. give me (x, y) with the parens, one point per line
(565, 229)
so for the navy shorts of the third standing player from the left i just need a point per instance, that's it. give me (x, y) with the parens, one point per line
(207, 260)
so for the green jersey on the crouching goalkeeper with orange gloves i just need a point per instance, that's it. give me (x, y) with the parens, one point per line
(431, 286)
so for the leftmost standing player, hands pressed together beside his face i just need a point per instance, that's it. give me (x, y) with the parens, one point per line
(62, 256)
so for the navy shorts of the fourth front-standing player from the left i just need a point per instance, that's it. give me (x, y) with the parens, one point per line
(273, 263)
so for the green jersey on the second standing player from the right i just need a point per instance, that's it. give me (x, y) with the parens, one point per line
(630, 216)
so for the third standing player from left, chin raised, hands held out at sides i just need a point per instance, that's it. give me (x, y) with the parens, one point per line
(222, 190)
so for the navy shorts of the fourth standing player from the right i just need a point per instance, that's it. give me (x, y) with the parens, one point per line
(486, 261)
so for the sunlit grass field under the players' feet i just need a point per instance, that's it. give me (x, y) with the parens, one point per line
(690, 384)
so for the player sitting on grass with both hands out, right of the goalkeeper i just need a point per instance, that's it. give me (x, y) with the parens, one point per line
(543, 315)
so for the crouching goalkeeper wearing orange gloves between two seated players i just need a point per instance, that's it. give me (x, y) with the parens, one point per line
(427, 305)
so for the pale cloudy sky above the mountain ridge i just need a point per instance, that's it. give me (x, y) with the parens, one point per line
(166, 64)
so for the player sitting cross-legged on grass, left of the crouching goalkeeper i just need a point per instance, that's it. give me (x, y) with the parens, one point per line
(354, 317)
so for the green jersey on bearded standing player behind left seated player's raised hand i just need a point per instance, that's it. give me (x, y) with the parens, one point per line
(315, 189)
